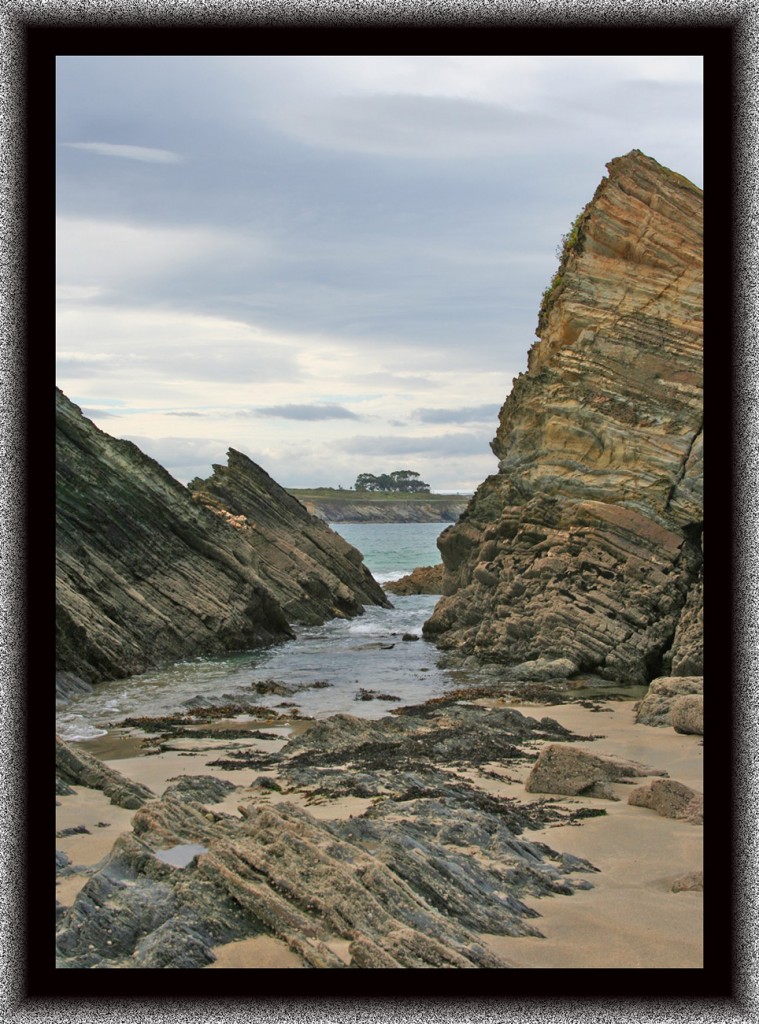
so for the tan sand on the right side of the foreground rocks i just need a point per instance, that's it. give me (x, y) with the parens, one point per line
(631, 918)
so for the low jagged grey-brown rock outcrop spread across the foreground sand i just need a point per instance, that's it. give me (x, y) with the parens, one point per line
(411, 882)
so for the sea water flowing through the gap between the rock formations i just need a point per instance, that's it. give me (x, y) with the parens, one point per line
(363, 654)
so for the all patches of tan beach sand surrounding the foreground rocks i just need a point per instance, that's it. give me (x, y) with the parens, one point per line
(630, 919)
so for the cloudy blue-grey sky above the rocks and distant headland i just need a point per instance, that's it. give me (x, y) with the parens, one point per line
(331, 264)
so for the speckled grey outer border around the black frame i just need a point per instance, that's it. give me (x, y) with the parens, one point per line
(13, 568)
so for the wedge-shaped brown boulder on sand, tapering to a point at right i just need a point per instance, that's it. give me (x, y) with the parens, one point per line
(572, 772)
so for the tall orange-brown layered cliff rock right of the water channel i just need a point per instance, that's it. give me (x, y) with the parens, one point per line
(586, 546)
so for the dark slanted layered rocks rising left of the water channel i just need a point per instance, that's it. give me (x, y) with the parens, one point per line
(148, 572)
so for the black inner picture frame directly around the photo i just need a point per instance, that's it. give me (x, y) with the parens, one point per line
(637, 995)
